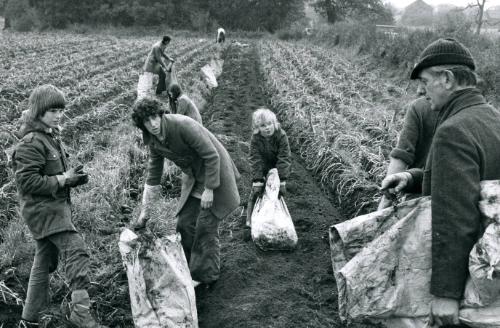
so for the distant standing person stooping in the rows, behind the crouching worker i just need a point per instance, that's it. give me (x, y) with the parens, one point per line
(155, 64)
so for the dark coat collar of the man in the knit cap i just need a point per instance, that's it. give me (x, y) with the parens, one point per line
(460, 100)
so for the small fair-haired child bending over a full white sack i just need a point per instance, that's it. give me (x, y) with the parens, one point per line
(269, 148)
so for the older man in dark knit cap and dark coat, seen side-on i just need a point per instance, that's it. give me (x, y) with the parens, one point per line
(464, 152)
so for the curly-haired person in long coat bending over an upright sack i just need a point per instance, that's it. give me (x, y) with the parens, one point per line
(209, 192)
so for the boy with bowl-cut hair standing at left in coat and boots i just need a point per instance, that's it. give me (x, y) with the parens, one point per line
(44, 179)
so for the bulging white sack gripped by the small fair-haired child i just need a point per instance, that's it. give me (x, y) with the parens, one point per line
(272, 225)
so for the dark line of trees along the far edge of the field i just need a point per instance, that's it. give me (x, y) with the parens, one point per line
(261, 15)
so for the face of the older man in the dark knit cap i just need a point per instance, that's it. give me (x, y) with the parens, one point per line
(433, 87)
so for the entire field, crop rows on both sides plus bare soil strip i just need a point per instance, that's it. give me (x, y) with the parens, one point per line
(339, 114)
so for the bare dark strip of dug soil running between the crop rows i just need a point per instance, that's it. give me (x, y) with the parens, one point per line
(256, 288)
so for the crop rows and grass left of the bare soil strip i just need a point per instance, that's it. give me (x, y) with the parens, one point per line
(99, 75)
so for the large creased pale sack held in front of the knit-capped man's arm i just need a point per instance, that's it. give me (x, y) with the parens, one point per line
(384, 279)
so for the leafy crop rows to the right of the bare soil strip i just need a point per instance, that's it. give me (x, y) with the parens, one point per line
(340, 114)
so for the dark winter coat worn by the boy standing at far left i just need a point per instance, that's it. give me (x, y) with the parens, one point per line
(37, 159)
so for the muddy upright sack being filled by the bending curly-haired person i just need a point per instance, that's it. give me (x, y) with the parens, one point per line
(160, 285)
